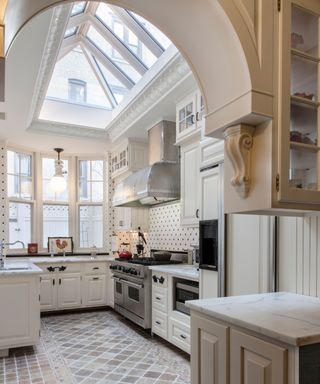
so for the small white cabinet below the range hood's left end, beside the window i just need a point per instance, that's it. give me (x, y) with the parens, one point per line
(127, 219)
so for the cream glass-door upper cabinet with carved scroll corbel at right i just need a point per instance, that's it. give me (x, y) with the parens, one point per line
(274, 167)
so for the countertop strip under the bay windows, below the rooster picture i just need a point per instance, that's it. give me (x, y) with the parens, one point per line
(61, 259)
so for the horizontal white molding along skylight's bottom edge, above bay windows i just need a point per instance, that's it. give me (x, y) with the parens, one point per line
(67, 130)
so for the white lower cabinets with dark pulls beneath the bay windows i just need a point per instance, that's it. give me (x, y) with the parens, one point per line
(77, 286)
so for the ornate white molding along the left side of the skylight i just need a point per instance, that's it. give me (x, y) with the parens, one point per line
(59, 21)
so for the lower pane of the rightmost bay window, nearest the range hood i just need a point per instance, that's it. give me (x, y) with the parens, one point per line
(91, 227)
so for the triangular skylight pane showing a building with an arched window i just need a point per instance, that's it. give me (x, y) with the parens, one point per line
(72, 68)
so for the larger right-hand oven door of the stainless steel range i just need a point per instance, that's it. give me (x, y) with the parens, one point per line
(134, 297)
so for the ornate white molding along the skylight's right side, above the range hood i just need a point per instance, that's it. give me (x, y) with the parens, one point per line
(168, 78)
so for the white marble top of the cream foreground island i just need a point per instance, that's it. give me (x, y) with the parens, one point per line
(287, 317)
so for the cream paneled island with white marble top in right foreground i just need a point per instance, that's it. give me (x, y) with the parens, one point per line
(256, 339)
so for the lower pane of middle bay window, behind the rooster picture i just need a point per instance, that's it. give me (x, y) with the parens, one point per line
(55, 221)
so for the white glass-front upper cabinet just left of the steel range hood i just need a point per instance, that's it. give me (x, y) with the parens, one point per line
(129, 156)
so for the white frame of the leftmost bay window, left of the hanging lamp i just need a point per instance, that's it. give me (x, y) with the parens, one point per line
(12, 199)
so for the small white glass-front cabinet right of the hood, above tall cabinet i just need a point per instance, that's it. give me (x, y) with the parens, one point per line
(189, 117)
